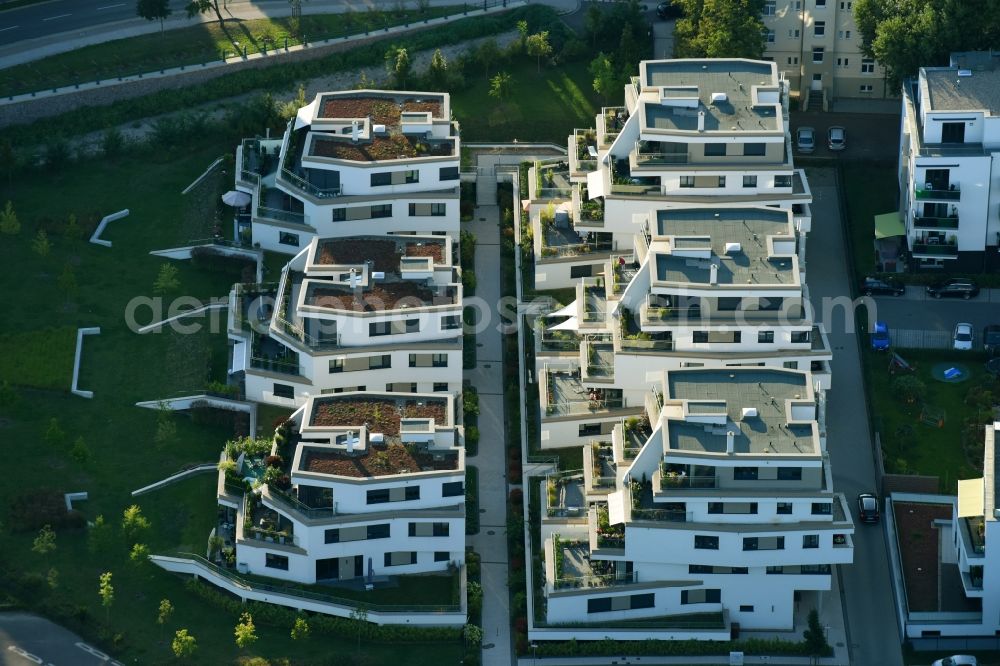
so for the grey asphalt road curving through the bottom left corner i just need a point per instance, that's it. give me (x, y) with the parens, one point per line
(28, 639)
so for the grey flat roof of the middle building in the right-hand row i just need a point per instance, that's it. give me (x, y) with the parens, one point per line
(684, 235)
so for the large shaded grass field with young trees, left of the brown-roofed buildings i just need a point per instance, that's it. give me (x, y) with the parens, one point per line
(120, 451)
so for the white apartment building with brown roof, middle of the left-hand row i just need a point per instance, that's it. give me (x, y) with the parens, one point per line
(360, 313)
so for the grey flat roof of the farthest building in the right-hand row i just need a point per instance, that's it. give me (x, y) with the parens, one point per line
(734, 77)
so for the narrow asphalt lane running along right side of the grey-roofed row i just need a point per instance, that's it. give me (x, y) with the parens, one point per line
(869, 608)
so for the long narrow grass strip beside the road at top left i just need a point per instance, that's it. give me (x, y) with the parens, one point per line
(200, 43)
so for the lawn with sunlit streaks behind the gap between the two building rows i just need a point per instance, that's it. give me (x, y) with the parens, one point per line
(543, 106)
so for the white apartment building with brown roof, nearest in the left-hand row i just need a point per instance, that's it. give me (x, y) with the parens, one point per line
(375, 487)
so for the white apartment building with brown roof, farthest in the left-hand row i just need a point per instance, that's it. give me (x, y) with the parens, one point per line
(360, 162)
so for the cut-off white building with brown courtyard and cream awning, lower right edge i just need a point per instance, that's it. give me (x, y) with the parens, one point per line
(965, 552)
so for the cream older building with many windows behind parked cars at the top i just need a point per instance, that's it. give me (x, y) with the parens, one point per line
(817, 47)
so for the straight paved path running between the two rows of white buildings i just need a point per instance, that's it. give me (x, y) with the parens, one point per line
(487, 377)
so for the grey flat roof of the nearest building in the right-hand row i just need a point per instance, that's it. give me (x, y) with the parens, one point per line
(766, 390)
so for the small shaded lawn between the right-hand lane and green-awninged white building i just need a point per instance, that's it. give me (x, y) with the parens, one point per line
(868, 191)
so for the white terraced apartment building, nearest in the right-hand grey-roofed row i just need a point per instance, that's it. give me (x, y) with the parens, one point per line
(718, 500)
